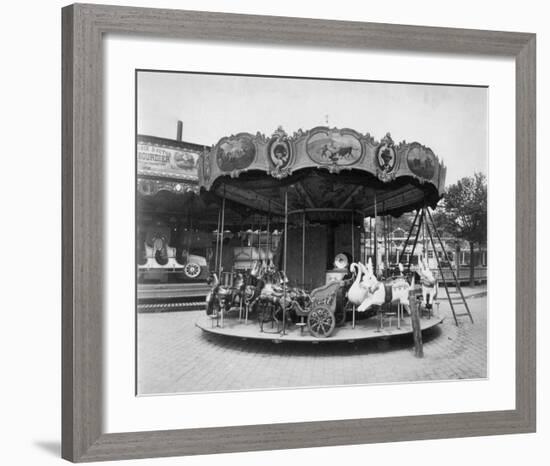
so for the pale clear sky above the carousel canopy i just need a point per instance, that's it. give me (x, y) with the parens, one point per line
(451, 120)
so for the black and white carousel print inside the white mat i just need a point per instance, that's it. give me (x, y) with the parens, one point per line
(295, 232)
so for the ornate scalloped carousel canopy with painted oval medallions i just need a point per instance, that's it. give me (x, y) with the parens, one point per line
(322, 170)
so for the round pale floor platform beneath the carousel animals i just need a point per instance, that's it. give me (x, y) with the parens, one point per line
(365, 329)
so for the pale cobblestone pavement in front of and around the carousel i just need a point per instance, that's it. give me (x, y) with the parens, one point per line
(175, 356)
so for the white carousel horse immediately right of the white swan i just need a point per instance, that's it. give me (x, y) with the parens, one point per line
(389, 291)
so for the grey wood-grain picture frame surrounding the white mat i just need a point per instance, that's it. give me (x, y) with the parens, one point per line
(83, 29)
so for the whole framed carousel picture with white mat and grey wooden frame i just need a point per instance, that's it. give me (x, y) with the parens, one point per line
(286, 233)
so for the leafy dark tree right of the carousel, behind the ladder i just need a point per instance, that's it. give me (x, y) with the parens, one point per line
(464, 212)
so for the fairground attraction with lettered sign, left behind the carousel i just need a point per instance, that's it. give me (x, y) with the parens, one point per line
(169, 247)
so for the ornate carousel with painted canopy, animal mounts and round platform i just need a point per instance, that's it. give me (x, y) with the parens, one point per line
(309, 266)
